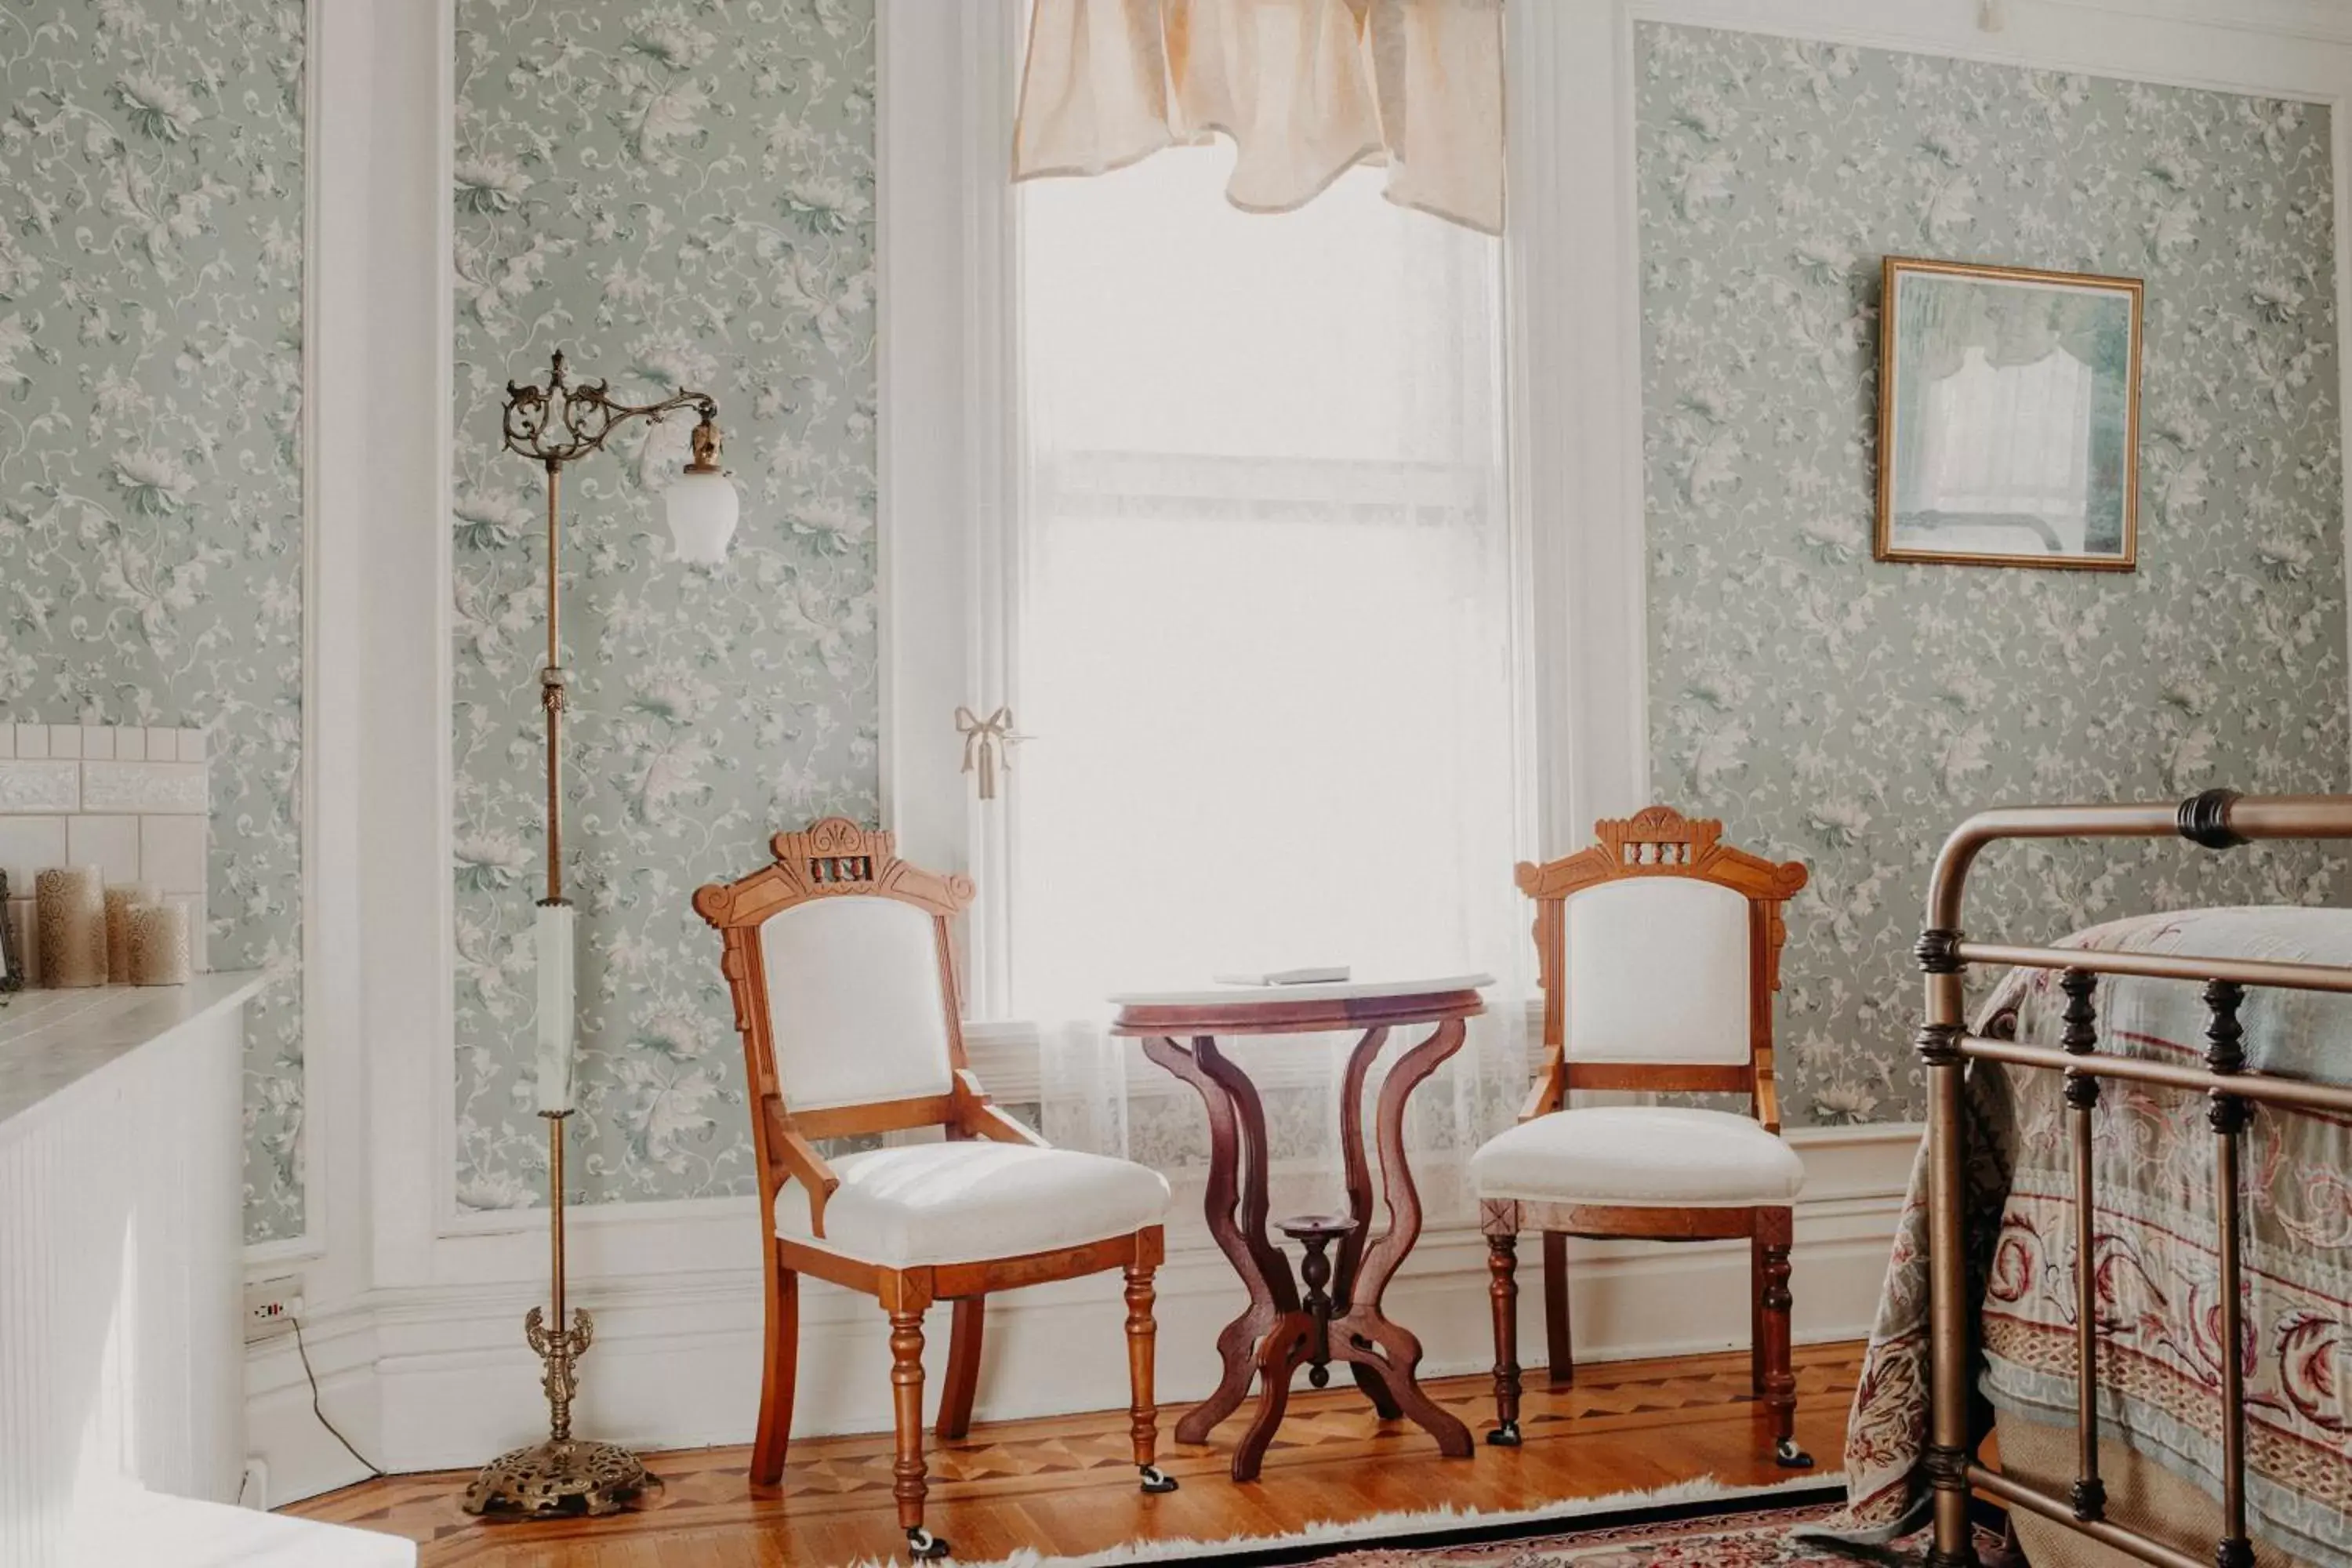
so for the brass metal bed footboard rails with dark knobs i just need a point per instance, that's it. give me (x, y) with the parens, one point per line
(2217, 819)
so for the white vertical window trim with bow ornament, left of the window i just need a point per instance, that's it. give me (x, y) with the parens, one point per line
(947, 398)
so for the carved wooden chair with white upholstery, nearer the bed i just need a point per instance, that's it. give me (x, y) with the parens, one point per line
(1659, 958)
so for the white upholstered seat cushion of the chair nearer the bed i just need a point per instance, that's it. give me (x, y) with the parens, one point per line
(1641, 1158)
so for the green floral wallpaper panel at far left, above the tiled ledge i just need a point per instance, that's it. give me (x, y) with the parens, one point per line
(152, 222)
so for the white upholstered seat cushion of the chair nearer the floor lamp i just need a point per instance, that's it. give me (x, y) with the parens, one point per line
(963, 1202)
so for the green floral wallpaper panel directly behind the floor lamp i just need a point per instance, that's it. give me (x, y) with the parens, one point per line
(676, 196)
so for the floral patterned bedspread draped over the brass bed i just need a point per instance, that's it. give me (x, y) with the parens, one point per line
(2156, 1247)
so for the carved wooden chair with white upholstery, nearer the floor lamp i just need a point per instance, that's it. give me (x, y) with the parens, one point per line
(846, 993)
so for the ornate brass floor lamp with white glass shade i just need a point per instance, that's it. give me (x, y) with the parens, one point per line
(561, 424)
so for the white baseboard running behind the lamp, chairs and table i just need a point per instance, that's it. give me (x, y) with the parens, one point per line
(439, 1379)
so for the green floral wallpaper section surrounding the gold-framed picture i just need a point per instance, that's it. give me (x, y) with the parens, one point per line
(1850, 713)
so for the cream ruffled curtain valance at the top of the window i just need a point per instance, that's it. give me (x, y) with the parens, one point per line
(1307, 91)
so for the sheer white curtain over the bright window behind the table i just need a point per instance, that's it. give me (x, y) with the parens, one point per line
(1267, 643)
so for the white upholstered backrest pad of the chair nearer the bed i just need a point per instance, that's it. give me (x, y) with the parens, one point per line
(1659, 972)
